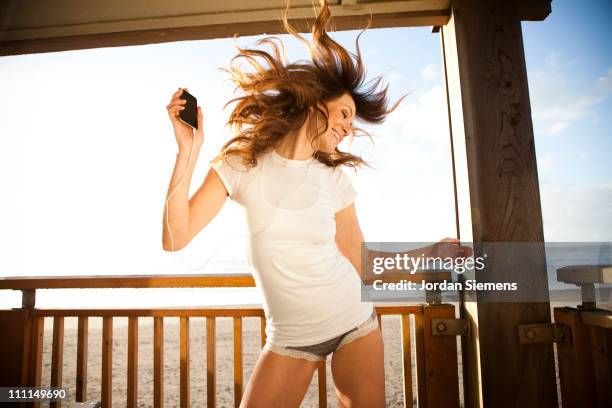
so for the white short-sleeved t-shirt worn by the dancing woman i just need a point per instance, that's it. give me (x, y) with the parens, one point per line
(311, 291)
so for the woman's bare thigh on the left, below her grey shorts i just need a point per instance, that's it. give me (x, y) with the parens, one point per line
(278, 381)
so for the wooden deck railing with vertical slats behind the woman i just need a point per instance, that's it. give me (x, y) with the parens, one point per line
(436, 354)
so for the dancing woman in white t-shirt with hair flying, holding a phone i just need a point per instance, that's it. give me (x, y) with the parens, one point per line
(284, 168)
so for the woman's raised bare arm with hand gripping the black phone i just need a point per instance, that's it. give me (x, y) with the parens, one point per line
(183, 217)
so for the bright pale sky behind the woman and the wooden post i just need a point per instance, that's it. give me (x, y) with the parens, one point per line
(87, 150)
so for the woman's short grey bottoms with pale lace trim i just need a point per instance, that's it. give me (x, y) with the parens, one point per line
(319, 351)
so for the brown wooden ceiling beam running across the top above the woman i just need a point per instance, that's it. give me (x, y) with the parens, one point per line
(35, 26)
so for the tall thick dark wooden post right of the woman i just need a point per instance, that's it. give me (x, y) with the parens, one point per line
(498, 196)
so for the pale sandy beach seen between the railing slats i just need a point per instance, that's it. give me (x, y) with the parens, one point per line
(225, 392)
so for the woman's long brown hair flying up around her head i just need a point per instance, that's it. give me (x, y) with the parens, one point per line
(278, 99)
